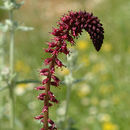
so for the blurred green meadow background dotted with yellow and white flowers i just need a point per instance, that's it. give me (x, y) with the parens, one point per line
(101, 102)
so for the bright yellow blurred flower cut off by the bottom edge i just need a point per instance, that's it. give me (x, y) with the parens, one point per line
(109, 126)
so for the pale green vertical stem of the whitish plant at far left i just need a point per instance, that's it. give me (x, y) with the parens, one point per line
(11, 86)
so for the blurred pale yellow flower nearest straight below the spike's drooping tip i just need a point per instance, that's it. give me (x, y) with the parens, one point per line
(98, 67)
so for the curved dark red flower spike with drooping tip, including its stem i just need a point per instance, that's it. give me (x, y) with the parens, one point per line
(70, 26)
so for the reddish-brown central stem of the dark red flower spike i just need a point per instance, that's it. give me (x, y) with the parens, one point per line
(46, 100)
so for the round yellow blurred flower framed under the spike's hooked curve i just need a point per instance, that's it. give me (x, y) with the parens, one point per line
(82, 45)
